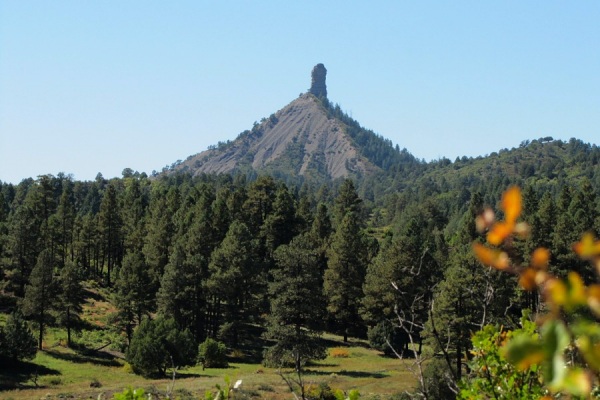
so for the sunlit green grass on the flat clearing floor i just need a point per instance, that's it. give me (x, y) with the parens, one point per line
(65, 373)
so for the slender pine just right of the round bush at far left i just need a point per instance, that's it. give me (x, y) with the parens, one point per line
(40, 293)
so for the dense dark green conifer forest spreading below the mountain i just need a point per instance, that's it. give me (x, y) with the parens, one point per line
(243, 260)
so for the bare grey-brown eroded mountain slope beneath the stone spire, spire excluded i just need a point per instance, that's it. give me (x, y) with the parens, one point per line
(300, 138)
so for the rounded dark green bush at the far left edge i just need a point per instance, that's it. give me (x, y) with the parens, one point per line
(16, 340)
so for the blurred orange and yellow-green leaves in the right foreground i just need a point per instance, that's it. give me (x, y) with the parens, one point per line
(565, 348)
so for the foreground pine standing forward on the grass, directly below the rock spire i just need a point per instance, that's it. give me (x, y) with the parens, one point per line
(297, 305)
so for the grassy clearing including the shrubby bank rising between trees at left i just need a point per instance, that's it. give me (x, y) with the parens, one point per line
(62, 373)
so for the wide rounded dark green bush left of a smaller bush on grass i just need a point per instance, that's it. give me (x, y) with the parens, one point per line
(157, 345)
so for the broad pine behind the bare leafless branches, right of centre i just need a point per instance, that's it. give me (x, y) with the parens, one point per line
(397, 289)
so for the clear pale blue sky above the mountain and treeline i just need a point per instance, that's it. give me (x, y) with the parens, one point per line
(99, 86)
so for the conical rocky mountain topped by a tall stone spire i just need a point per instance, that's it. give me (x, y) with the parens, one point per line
(308, 137)
